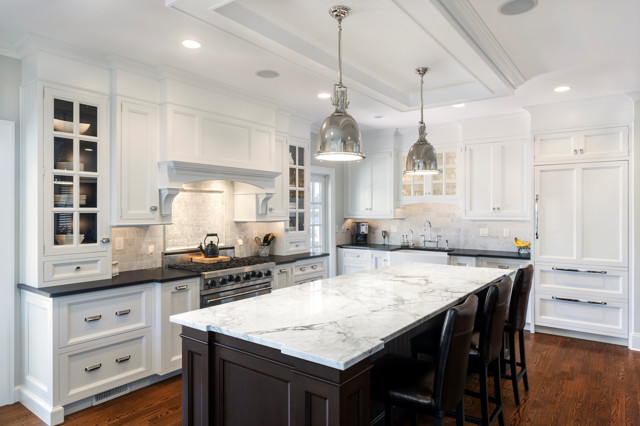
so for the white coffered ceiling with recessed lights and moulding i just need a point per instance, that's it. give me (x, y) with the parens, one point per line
(492, 62)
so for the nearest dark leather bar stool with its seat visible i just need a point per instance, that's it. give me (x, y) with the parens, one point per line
(434, 388)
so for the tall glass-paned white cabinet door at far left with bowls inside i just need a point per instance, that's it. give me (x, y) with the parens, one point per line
(76, 142)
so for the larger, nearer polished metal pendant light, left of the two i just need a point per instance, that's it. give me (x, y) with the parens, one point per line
(339, 137)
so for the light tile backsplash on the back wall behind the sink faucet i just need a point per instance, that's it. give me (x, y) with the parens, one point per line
(447, 220)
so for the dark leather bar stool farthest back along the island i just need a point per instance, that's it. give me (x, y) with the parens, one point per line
(515, 324)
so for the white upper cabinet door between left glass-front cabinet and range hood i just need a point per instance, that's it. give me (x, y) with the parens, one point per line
(135, 164)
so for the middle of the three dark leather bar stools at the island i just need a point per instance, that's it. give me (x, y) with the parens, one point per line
(486, 347)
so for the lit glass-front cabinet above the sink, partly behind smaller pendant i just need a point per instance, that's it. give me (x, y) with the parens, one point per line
(441, 187)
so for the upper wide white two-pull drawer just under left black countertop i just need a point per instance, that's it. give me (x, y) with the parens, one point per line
(100, 314)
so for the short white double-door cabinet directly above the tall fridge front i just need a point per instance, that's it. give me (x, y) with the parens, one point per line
(587, 145)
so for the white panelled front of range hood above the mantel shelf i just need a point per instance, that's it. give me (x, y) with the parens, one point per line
(210, 138)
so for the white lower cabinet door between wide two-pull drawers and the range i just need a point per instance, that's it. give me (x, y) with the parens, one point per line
(174, 297)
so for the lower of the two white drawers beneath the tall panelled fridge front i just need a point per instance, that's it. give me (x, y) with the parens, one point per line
(607, 317)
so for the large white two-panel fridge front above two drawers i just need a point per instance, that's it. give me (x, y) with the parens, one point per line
(582, 214)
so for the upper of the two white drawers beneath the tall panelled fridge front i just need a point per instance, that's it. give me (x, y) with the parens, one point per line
(591, 283)
